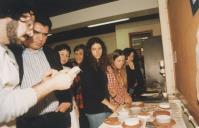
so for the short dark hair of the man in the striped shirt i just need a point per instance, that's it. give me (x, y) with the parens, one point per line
(43, 19)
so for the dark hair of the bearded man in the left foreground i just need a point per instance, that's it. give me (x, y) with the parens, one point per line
(15, 9)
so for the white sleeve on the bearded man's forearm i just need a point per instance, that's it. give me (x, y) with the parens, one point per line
(14, 103)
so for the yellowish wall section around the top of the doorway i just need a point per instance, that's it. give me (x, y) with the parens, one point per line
(123, 30)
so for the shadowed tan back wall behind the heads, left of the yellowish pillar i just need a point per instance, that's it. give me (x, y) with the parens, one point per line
(109, 39)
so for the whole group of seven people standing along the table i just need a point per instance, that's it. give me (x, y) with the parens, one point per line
(41, 88)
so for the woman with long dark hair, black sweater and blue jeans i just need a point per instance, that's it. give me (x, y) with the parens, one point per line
(94, 84)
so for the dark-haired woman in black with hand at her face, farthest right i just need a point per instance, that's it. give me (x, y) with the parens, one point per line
(134, 75)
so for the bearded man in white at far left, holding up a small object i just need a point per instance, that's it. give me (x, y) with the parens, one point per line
(16, 23)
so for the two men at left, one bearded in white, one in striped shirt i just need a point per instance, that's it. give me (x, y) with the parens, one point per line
(22, 85)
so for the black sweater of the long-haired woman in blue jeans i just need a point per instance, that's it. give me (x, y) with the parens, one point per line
(94, 90)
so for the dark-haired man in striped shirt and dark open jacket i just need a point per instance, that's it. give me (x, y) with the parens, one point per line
(36, 59)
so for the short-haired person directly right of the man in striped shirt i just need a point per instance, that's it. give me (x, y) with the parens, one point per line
(64, 55)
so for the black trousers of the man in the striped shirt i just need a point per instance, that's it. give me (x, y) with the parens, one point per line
(49, 120)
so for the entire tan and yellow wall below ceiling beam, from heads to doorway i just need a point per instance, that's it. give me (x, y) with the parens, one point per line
(119, 39)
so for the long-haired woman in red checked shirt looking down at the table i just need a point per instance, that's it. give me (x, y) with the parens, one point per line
(117, 81)
